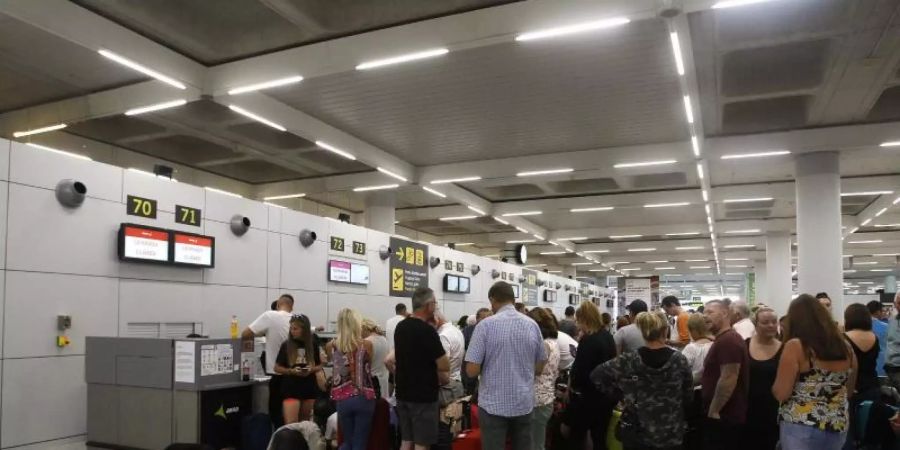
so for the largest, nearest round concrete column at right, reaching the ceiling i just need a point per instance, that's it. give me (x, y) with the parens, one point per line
(819, 265)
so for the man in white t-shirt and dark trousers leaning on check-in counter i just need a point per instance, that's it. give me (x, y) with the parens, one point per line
(275, 326)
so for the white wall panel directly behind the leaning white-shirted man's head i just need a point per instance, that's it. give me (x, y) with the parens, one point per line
(219, 303)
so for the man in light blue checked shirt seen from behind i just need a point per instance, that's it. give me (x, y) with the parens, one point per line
(508, 352)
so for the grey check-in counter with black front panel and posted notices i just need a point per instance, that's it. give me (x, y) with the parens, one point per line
(146, 393)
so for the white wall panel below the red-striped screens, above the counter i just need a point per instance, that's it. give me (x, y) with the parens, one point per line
(158, 301)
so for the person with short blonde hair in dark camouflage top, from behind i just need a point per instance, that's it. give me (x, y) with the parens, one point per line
(656, 386)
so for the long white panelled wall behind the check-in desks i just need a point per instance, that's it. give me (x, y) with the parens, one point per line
(55, 260)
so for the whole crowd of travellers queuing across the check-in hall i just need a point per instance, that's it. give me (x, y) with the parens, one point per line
(731, 377)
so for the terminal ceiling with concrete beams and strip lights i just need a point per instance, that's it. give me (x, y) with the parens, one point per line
(578, 125)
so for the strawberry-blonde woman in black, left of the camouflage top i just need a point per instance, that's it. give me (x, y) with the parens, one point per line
(589, 409)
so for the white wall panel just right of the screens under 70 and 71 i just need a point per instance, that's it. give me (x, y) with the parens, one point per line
(240, 260)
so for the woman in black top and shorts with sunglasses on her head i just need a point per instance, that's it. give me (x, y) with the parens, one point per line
(299, 363)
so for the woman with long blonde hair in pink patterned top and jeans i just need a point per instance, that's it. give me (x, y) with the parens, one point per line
(352, 380)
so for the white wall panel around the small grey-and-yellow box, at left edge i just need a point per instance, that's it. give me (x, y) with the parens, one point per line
(34, 300)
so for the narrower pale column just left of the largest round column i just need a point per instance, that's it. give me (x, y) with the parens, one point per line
(778, 272)
